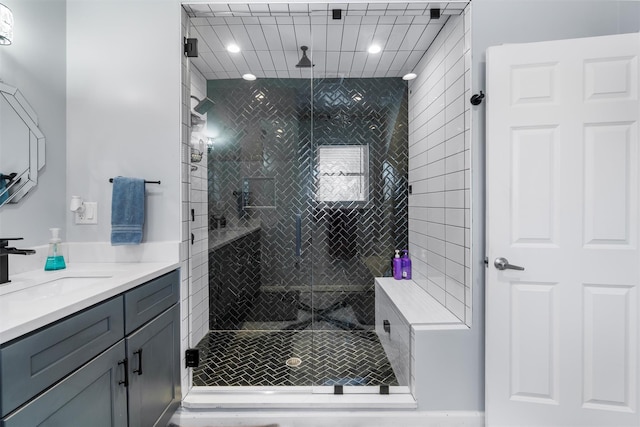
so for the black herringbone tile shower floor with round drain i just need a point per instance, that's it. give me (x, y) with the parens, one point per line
(259, 358)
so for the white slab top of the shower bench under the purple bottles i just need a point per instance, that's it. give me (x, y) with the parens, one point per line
(415, 304)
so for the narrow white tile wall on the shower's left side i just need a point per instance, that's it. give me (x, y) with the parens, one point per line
(194, 287)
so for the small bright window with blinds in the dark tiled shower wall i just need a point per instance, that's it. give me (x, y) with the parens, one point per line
(343, 173)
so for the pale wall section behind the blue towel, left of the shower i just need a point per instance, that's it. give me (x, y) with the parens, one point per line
(123, 109)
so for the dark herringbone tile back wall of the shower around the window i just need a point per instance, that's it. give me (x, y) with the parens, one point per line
(314, 256)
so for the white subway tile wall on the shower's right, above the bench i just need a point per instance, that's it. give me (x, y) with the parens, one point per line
(439, 162)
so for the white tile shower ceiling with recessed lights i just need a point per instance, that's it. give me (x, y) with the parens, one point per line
(270, 35)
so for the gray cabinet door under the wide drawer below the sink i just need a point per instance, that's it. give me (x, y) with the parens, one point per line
(91, 396)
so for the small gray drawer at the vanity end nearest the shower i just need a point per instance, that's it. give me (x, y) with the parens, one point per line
(149, 300)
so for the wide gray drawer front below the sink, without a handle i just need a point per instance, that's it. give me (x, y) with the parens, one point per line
(32, 364)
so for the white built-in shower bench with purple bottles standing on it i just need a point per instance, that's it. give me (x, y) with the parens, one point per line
(422, 340)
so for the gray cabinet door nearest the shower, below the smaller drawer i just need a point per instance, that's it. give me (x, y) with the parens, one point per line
(154, 370)
